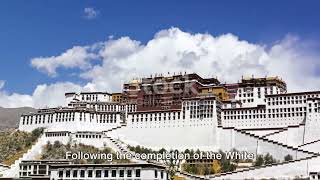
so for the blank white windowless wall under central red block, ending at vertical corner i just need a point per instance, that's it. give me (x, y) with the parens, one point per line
(170, 136)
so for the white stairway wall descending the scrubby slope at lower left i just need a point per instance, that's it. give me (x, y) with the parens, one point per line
(33, 152)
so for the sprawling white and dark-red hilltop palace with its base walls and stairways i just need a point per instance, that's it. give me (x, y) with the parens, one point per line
(186, 111)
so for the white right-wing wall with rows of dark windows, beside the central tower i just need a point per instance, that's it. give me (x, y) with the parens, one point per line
(280, 111)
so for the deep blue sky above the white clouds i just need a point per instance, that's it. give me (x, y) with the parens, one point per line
(32, 29)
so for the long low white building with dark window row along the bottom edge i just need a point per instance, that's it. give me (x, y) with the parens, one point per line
(141, 171)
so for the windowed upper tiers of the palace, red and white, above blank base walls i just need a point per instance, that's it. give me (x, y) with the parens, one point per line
(252, 103)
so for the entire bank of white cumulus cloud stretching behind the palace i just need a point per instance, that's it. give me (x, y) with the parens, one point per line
(172, 50)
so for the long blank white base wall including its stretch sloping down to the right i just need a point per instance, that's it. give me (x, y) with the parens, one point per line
(204, 137)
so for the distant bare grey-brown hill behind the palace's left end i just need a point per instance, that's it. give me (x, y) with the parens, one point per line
(9, 117)
